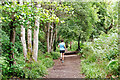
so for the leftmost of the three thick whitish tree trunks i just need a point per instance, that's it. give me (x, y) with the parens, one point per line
(23, 37)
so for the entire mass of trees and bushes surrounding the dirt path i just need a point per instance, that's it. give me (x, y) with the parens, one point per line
(30, 33)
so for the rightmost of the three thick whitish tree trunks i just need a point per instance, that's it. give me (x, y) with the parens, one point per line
(35, 40)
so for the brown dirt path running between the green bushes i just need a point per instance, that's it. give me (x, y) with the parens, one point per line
(69, 69)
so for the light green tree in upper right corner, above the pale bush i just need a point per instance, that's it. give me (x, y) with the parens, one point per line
(107, 17)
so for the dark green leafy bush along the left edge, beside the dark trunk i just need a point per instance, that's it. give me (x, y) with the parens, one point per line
(7, 70)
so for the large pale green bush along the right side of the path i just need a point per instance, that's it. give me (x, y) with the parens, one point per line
(97, 56)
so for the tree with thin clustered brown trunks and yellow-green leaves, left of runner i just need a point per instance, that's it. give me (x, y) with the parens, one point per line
(50, 20)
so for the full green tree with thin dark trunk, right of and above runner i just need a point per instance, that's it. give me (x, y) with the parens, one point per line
(79, 26)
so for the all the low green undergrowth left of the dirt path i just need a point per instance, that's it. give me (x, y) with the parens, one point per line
(22, 69)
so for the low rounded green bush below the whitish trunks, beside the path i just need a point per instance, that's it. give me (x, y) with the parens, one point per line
(34, 70)
